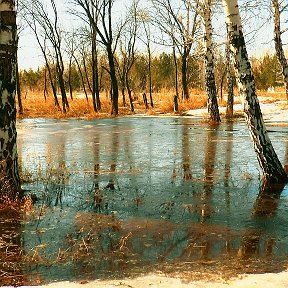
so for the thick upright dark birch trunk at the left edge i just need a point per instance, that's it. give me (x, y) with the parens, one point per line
(9, 174)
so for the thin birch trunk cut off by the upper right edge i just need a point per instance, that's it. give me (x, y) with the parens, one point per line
(278, 44)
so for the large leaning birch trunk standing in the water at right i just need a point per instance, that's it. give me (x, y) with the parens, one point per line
(273, 171)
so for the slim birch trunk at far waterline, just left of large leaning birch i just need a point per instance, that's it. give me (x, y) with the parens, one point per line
(209, 65)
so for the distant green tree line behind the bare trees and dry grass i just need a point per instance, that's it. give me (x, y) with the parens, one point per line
(266, 70)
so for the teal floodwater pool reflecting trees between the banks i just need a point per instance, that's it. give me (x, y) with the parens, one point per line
(118, 197)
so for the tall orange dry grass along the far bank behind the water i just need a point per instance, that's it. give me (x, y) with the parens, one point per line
(34, 104)
